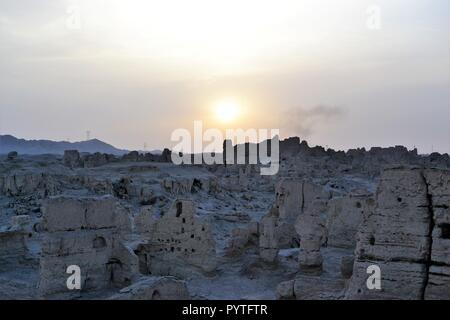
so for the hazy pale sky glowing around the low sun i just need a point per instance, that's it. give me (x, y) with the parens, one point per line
(133, 71)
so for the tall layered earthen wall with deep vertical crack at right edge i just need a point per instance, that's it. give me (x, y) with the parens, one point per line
(403, 236)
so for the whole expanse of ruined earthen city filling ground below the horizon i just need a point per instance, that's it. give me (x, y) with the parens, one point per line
(140, 227)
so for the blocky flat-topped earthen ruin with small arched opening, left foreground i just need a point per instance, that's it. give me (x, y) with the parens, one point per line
(89, 233)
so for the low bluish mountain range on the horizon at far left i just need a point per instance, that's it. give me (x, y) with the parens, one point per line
(10, 143)
